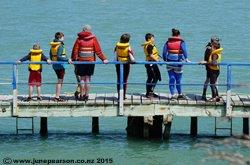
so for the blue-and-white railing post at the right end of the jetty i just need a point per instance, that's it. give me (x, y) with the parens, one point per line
(229, 87)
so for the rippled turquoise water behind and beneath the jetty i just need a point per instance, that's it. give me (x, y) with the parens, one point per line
(26, 22)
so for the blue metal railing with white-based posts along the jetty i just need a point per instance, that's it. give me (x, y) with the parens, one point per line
(228, 84)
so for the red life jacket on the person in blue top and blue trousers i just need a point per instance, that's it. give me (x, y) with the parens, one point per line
(174, 45)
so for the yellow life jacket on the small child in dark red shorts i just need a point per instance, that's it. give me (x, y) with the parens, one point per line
(35, 56)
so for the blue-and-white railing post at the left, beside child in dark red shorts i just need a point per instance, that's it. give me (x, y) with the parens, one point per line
(14, 86)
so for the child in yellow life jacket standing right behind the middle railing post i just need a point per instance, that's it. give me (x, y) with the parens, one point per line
(125, 54)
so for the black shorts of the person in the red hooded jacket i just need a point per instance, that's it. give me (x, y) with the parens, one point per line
(85, 69)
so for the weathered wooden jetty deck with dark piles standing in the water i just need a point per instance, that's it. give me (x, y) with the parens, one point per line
(146, 117)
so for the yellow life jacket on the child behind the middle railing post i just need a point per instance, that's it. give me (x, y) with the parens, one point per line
(122, 51)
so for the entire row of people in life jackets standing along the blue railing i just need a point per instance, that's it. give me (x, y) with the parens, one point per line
(87, 47)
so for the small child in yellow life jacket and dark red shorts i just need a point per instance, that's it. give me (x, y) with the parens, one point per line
(35, 76)
